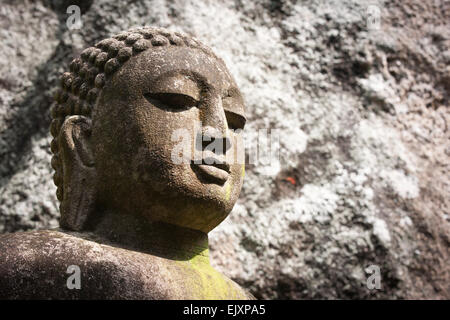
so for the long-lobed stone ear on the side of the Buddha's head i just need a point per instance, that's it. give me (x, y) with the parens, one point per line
(79, 174)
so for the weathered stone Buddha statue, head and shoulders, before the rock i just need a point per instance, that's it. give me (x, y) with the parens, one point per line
(134, 221)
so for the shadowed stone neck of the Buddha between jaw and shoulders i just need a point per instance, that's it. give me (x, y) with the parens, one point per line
(157, 238)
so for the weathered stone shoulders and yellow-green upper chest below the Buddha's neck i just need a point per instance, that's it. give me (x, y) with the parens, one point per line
(41, 260)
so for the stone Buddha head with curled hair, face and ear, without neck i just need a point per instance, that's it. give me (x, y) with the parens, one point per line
(124, 112)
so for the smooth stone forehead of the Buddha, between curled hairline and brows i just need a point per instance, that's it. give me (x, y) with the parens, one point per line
(145, 72)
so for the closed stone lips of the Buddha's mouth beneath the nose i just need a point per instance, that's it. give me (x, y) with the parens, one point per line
(212, 170)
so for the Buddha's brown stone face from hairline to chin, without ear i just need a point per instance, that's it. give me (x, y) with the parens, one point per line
(161, 101)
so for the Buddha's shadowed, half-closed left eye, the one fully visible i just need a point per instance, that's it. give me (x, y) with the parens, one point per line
(171, 101)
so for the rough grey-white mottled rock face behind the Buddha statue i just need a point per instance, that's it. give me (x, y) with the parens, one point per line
(363, 116)
